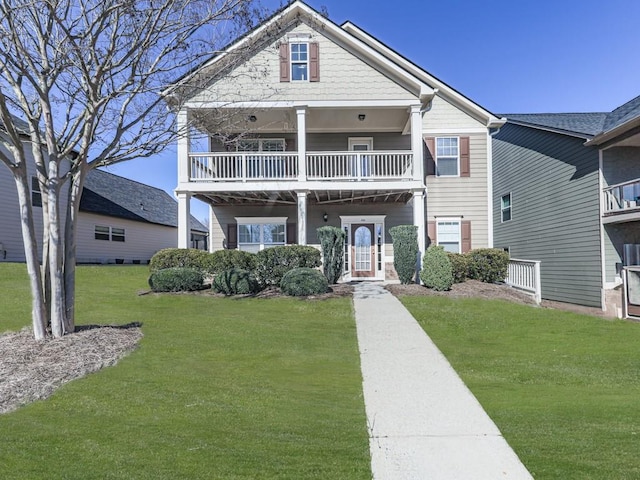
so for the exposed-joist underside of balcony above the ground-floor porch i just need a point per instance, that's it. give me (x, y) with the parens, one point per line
(316, 197)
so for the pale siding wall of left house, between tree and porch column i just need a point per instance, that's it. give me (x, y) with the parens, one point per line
(142, 240)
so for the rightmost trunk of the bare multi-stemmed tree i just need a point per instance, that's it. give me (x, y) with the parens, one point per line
(73, 207)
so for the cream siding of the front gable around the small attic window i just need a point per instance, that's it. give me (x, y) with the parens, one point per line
(259, 77)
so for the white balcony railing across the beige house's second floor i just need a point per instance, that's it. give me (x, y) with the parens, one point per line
(323, 166)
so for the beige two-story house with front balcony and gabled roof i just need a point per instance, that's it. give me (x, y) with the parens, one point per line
(322, 124)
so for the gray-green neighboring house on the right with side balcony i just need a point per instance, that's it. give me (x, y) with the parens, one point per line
(567, 193)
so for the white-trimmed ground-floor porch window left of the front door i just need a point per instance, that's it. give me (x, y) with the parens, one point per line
(258, 233)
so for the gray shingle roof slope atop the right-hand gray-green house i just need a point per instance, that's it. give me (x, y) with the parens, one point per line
(588, 124)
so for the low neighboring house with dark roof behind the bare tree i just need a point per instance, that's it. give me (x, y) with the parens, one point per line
(119, 220)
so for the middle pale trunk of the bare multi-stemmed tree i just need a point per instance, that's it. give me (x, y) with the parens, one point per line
(55, 253)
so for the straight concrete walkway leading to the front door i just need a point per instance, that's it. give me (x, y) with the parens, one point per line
(423, 422)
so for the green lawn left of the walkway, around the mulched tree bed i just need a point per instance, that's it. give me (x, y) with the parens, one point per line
(218, 389)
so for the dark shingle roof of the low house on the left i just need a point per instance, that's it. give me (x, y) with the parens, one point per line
(108, 194)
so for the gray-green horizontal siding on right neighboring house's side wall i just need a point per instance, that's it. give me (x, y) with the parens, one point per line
(553, 180)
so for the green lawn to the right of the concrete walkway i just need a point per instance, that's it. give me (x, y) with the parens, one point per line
(563, 388)
